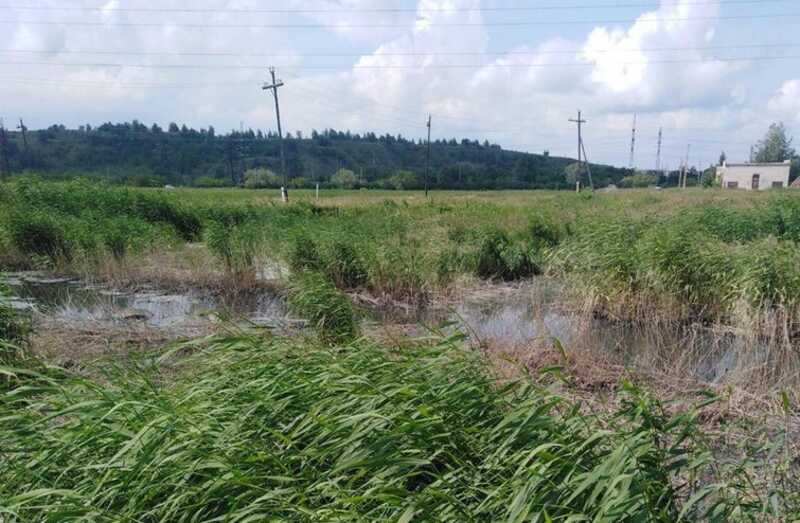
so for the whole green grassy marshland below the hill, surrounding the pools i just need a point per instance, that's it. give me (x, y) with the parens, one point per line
(247, 425)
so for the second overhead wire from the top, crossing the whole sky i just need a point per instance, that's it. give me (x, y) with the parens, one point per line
(509, 24)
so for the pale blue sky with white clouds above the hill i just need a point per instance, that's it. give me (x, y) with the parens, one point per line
(712, 74)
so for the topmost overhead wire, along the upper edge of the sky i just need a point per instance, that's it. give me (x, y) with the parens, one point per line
(378, 10)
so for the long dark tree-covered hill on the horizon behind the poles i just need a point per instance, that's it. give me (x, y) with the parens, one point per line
(138, 154)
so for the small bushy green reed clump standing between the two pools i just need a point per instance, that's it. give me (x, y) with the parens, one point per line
(314, 297)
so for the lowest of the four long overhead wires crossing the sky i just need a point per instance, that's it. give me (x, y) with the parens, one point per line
(403, 66)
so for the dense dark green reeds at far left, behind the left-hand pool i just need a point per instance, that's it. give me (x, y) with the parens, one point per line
(77, 226)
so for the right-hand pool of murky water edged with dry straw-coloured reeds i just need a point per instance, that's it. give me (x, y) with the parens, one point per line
(532, 314)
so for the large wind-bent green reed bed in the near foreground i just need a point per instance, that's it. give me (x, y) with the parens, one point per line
(265, 430)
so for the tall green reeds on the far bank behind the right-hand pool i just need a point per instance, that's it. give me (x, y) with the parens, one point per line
(700, 265)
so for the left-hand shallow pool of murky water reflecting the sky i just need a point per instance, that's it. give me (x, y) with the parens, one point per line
(76, 301)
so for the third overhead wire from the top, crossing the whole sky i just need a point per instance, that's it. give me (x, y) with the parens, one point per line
(382, 54)
